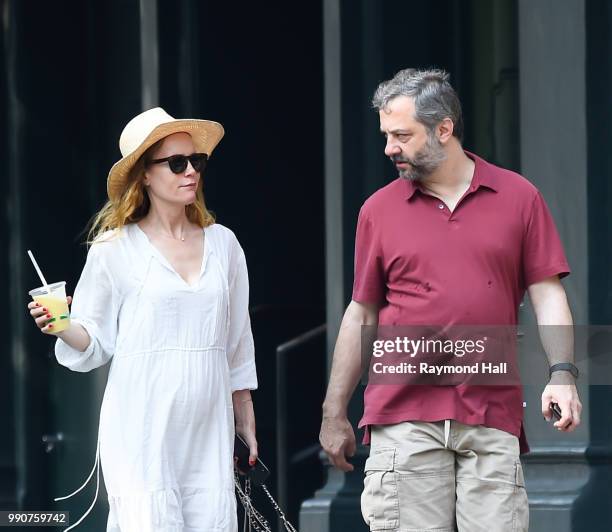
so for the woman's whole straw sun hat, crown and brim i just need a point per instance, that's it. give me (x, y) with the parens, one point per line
(145, 130)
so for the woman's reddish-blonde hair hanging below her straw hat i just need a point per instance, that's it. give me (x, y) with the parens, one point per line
(133, 204)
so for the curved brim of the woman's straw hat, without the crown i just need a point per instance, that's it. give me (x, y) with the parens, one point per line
(205, 134)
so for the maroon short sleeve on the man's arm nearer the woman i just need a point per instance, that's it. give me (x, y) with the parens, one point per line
(369, 281)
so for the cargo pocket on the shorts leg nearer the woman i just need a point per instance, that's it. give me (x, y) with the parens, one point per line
(379, 500)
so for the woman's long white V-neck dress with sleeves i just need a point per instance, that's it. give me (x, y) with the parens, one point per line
(166, 432)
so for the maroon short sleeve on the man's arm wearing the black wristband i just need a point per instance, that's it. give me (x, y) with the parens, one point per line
(543, 254)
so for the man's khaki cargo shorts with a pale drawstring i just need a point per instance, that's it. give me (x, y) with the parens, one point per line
(444, 477)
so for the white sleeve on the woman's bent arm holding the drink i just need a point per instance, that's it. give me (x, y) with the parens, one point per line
(95, 306)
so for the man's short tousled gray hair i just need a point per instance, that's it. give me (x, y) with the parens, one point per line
(434, 97)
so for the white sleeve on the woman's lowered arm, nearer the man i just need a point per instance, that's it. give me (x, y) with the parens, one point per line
(240, 345)
